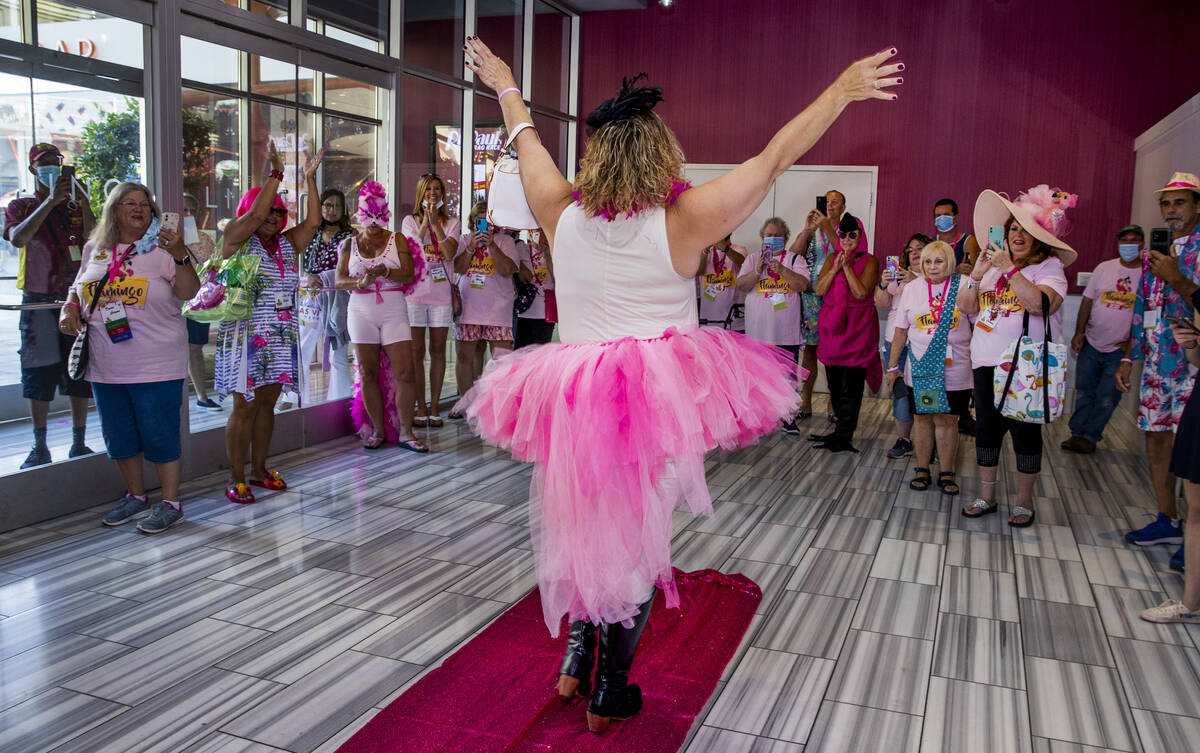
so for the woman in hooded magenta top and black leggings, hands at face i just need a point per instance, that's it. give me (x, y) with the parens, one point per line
(849, 330)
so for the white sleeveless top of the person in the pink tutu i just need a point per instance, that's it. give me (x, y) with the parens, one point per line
(614, 279)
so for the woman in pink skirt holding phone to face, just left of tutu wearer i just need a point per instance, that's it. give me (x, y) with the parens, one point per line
(485, 266)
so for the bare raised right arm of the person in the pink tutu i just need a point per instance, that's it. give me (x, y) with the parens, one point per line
(710, 213)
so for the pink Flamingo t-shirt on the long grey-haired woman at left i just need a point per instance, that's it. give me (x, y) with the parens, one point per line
(158, 352)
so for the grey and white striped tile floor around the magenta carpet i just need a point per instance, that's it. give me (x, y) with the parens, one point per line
(889, 622)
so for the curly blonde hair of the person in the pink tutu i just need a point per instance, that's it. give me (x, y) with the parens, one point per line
(629, 166)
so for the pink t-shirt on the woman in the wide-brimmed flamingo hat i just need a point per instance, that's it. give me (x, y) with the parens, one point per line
(1001, 317)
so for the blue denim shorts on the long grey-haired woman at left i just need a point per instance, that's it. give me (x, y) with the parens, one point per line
(141, 419)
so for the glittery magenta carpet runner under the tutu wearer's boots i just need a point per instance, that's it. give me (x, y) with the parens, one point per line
(496, 695)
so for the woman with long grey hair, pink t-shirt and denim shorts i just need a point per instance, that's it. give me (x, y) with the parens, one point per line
(129, 290)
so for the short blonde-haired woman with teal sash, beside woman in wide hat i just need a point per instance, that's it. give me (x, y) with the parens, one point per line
(939, 366)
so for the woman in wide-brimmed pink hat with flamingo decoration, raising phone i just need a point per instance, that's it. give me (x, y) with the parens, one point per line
(1011, 279)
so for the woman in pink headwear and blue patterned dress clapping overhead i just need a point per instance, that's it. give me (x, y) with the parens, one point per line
(259, 358)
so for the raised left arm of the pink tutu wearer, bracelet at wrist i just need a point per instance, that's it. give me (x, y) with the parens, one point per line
(547, 191)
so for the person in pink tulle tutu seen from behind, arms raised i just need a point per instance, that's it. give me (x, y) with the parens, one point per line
(619, 417)
